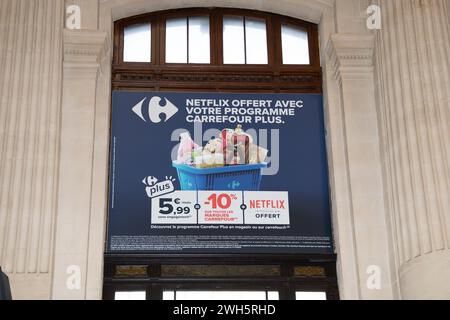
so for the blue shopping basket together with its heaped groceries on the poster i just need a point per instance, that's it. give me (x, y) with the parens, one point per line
(231, 162)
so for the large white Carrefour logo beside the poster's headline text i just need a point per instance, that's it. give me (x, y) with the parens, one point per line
(152, 111)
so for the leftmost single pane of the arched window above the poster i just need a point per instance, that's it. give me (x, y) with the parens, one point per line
(137, 43)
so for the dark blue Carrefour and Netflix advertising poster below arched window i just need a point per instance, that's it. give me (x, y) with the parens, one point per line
(218, 173)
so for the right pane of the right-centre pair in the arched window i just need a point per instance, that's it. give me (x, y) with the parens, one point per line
(256, 37)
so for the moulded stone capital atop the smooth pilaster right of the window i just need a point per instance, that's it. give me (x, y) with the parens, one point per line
(351, 55)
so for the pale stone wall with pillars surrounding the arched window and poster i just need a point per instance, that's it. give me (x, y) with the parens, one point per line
(386, 96)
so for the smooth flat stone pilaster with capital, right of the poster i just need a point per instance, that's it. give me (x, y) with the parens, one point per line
(351, 60)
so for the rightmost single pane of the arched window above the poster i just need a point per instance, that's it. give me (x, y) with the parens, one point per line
(295, 45)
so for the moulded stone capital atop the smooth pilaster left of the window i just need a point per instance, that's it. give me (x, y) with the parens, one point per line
(83, 50)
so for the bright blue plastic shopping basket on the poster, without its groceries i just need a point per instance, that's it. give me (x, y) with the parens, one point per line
(239, 177)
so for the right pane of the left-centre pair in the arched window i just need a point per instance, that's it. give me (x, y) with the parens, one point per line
(199, 51)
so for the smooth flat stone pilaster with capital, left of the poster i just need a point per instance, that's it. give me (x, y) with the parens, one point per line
(82, 51)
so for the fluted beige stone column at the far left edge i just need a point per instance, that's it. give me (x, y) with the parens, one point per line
(30, 104)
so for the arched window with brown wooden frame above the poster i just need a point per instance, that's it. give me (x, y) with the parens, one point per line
(216, 49)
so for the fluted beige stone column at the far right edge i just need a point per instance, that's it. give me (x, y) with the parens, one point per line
(413, 73)
